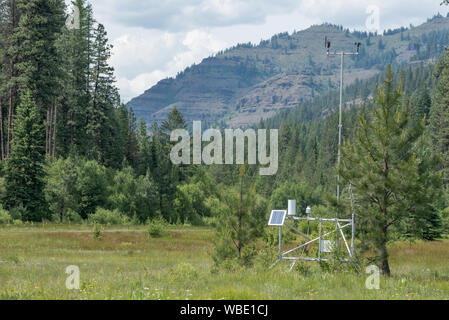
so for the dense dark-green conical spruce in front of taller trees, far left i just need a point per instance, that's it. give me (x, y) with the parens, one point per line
(24, 178)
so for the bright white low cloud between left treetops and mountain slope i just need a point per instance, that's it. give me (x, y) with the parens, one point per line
(163, 54)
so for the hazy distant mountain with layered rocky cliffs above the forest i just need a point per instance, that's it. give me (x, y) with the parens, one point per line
(248, 83)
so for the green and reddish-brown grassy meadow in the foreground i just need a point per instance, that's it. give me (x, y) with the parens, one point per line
(127, 264)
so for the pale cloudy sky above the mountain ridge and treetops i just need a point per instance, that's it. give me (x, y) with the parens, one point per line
(155, 39)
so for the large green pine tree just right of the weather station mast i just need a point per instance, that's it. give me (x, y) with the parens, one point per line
(392, 175)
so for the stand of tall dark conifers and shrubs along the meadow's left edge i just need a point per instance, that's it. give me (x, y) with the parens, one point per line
(61, 118)
